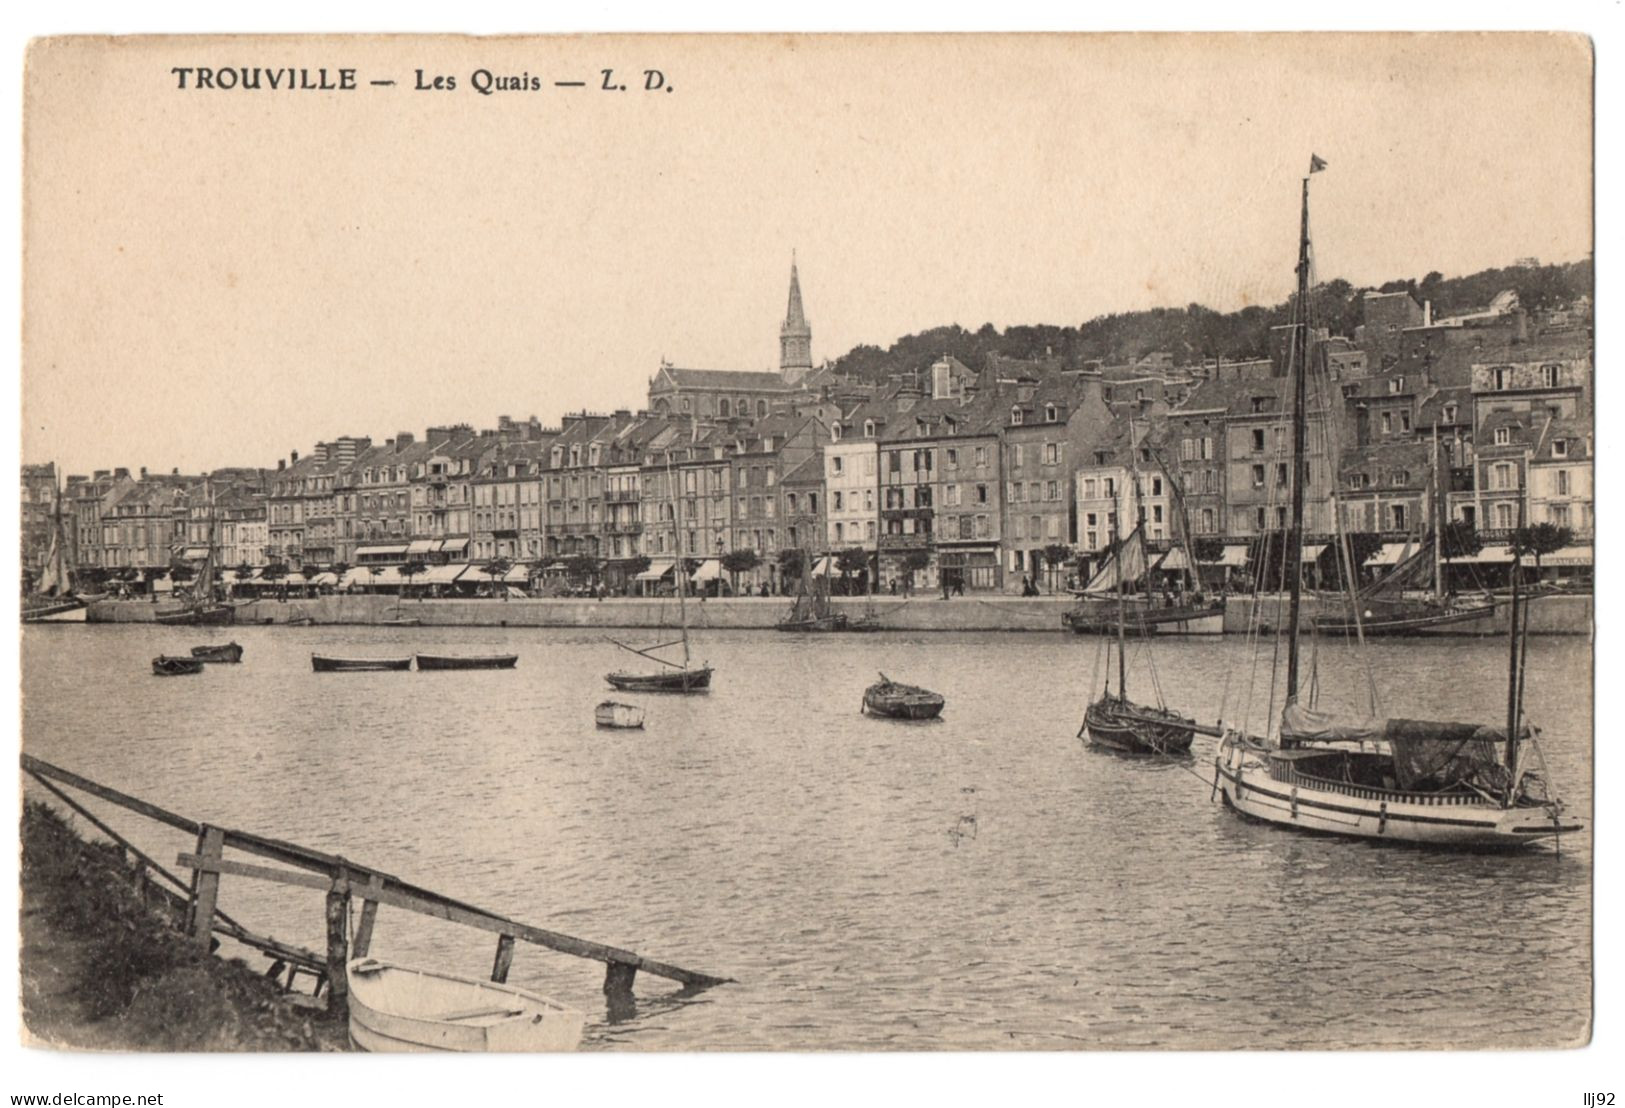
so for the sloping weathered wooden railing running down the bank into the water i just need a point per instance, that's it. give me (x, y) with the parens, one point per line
(194, 902)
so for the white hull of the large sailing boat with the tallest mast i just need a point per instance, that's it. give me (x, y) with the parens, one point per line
(1244, 779)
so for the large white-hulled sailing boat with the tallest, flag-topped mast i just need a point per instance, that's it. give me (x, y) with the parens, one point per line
(1442, 784)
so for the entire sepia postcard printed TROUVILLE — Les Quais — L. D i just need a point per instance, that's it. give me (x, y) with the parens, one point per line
(807, 543)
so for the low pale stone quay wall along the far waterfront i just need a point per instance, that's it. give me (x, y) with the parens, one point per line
(922, 613)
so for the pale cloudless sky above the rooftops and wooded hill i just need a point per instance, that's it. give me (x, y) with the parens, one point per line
(222, 277)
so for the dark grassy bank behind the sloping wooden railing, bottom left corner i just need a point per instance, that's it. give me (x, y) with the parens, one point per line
(106, 971)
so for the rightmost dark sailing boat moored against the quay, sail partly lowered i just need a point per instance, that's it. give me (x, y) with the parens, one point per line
(1384, 608)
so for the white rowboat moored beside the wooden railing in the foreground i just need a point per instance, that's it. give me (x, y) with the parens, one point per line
(399, 1010)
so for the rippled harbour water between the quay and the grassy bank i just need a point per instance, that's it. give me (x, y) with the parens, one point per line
(981, 881)
